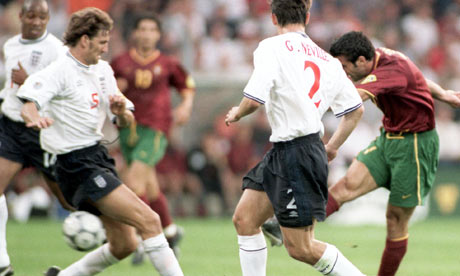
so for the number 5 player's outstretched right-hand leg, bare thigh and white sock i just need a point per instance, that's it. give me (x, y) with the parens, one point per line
(124, 206)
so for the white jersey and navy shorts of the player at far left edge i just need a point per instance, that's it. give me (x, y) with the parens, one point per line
(17, 142)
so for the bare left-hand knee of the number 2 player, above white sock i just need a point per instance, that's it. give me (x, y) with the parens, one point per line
(253, 209)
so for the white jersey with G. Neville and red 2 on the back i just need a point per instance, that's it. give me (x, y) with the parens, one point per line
(298, 82)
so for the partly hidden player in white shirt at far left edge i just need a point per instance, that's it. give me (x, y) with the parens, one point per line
(28, 52)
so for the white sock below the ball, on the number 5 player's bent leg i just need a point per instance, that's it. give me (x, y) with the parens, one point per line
(92, 263)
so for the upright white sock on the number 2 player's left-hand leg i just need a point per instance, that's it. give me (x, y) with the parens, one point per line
(253, 255)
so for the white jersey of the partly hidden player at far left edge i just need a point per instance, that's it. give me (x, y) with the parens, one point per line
(34, 55)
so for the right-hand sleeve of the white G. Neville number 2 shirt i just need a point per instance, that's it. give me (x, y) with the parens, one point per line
(347, 98)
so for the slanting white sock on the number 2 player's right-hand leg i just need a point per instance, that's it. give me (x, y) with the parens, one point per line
(333, 263)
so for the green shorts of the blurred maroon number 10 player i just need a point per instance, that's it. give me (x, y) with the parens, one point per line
(149, 148)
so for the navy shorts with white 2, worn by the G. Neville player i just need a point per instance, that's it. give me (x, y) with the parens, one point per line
(294, 176)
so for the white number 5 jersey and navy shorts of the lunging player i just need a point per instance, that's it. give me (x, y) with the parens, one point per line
(77, 99)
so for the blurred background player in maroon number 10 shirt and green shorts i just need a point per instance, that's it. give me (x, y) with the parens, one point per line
(145, 76)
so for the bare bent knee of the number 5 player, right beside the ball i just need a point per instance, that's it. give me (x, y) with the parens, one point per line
(121, 237)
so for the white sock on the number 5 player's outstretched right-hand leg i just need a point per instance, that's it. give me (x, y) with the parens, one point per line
(161, 256)
